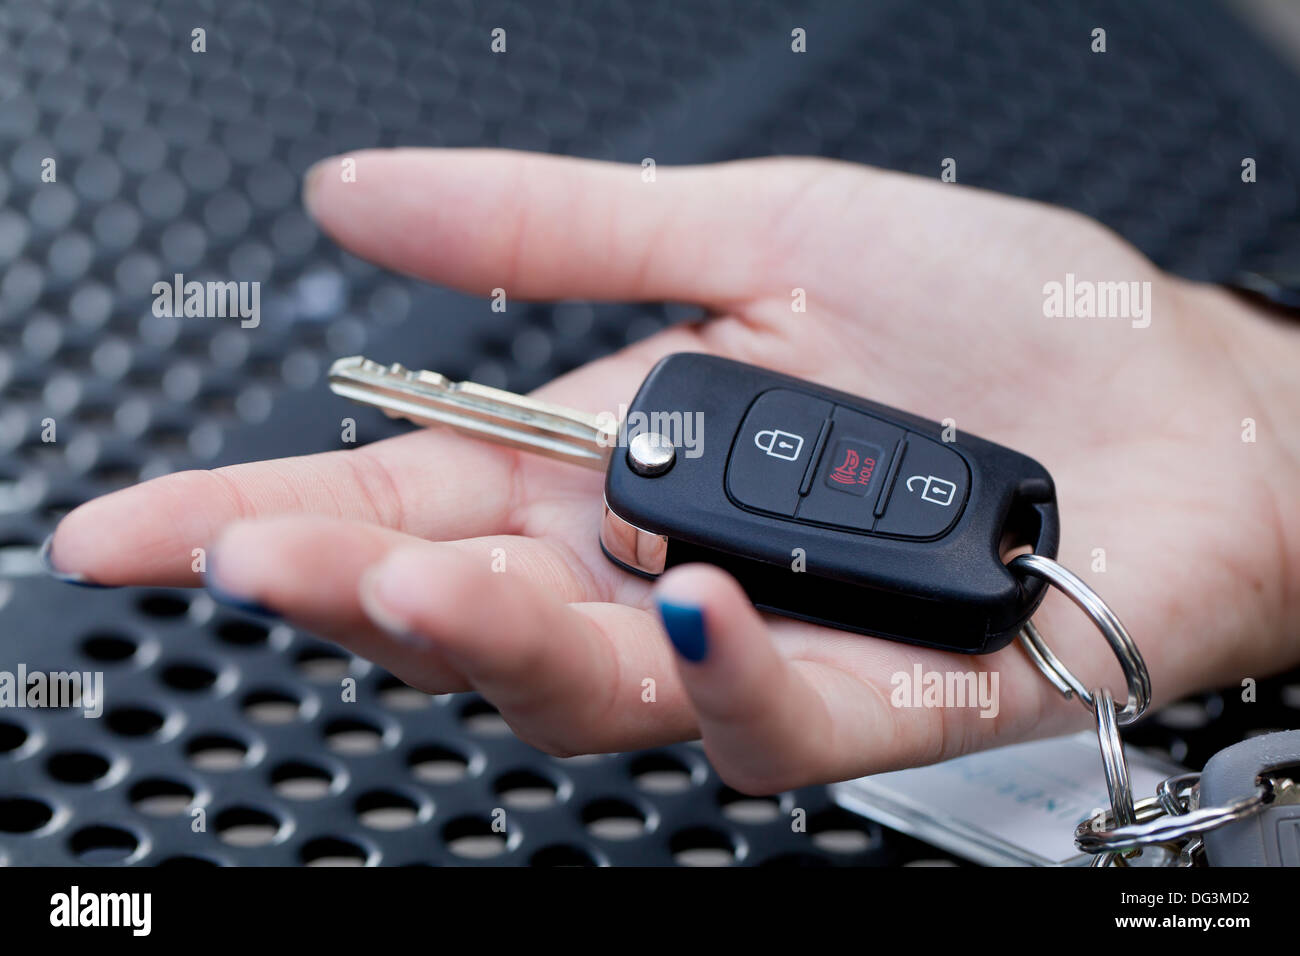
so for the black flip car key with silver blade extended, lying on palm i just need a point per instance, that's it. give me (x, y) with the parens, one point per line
(825, 507)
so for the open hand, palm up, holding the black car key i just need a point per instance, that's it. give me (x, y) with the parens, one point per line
(922, 296)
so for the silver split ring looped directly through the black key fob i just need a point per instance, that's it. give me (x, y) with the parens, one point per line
(1091, 604)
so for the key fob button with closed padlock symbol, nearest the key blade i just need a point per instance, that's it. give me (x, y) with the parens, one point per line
(773, 451)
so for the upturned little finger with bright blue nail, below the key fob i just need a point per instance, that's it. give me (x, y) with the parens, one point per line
(765, 726)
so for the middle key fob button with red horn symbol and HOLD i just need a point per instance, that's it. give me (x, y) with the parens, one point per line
(852, 473)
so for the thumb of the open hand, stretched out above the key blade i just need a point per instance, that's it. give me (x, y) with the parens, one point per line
(547, 227)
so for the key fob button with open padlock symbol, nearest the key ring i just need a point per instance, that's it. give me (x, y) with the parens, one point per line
(929, 492)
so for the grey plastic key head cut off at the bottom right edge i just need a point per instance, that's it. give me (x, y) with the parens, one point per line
(1269, 837)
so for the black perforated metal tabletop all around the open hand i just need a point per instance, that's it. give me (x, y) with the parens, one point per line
(171, 162)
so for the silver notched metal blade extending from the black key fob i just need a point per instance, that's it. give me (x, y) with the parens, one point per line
(504, 418)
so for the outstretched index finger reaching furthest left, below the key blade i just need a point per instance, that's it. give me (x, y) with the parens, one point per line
(431, 485)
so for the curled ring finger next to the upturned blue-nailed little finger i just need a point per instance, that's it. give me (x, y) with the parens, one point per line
(567, 678)
